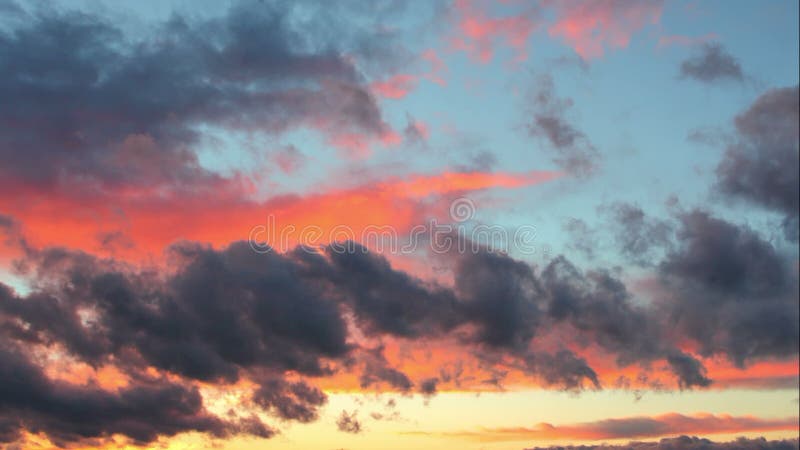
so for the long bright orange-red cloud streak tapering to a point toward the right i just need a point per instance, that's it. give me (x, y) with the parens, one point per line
(142, 223)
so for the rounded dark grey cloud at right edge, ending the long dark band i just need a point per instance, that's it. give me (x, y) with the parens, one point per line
(731, 291)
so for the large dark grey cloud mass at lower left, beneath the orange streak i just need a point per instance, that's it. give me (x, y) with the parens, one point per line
(221, 315)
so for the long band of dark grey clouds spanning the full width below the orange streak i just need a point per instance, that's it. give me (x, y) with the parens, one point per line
(220, 315)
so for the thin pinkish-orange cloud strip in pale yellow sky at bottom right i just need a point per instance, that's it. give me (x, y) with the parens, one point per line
(636, 427)
